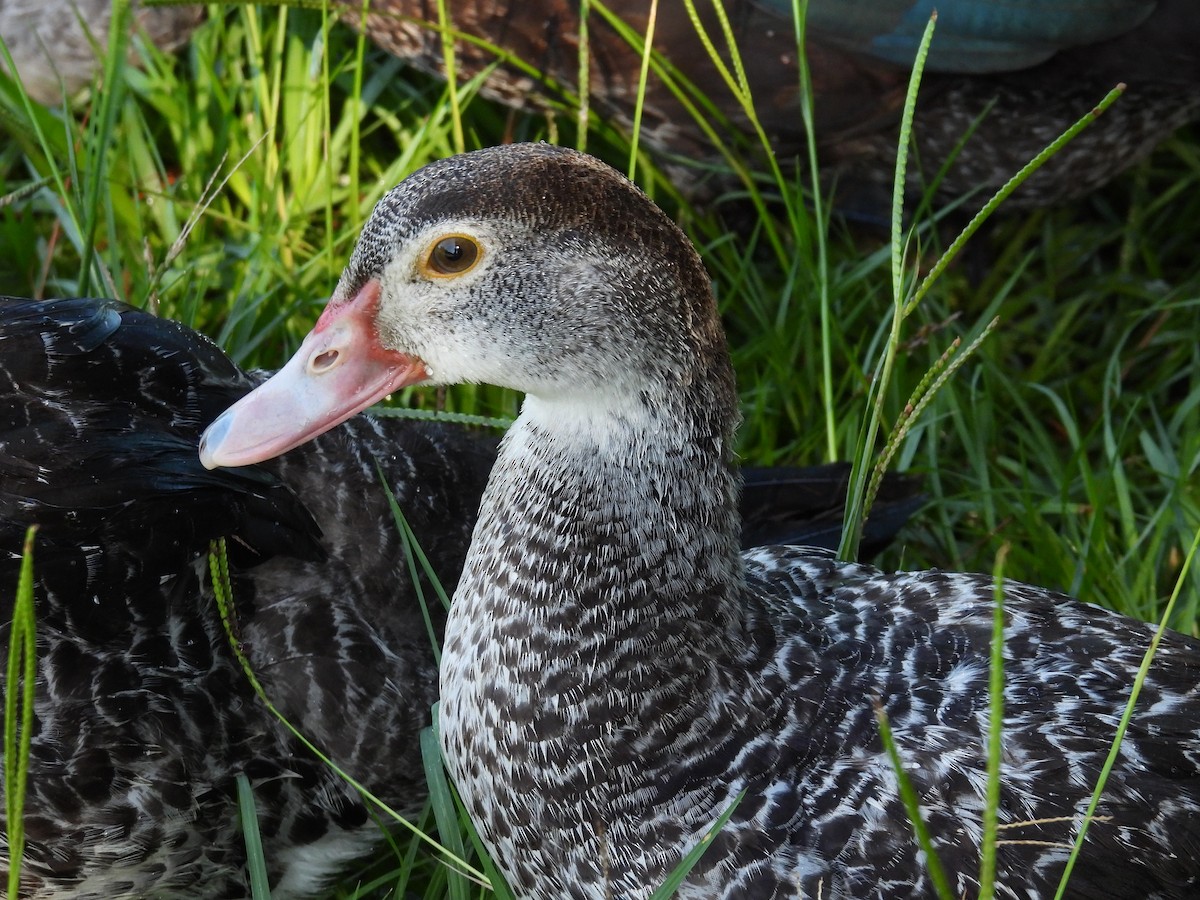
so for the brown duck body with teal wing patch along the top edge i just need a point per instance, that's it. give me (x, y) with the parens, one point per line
(1011, 76)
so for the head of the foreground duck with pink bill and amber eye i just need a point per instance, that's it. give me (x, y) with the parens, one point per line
(529, 267)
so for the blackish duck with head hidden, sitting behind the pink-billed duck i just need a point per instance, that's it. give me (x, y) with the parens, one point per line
(143, 716)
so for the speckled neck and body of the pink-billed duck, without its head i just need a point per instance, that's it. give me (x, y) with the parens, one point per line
(637, 688)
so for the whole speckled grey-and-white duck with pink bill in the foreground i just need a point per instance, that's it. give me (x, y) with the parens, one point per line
(619, 674)
